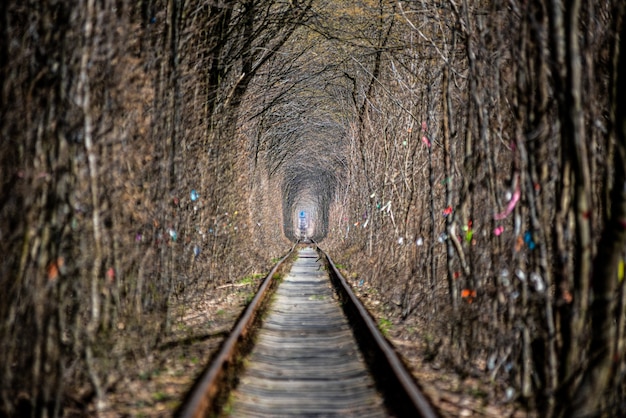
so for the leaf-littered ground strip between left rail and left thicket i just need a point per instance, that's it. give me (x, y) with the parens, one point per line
(156, 386)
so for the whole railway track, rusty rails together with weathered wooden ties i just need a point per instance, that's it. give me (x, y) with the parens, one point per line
(305, 346)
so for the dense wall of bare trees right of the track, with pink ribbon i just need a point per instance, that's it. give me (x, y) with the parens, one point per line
(485, 189)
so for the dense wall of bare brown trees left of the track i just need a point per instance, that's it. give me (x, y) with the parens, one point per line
(123, 190)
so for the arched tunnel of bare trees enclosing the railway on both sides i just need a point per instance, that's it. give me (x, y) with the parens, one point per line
(465, 159)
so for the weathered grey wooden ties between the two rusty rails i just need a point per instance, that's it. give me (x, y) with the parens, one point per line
(306, 361)
